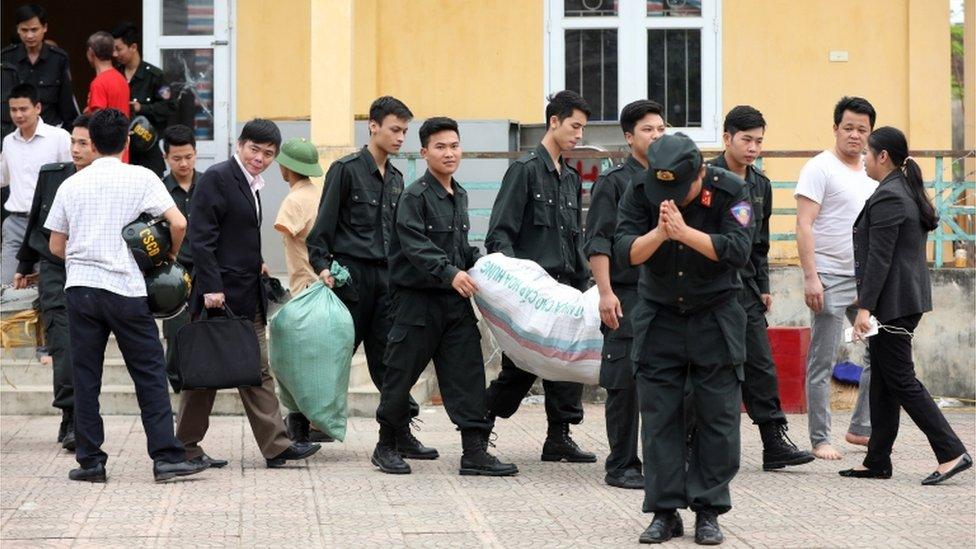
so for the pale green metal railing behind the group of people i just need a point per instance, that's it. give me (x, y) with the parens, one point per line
(946, 193)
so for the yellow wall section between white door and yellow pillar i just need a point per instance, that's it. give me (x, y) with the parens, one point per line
(273, 48)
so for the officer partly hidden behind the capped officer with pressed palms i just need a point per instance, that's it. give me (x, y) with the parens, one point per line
(642, 124)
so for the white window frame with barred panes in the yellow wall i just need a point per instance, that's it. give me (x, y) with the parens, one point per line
(632, 24)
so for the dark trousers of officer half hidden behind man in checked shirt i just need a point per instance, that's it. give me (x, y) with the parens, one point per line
(54, 316)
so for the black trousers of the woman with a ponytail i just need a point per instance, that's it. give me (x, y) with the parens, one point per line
(894, 386)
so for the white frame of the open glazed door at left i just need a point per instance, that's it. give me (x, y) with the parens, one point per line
(154, 42)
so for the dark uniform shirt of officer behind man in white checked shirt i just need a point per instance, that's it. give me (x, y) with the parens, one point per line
(36, 237)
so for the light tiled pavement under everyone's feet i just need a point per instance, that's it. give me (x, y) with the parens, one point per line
(338, 499)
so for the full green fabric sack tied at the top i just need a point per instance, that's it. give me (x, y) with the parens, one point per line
(310, 348)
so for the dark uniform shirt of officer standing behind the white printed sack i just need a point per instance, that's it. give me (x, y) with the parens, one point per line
(537, 216)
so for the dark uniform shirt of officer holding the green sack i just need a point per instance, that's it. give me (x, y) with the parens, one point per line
(356, 214)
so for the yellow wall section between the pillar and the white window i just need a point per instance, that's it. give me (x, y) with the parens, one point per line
(461, 58)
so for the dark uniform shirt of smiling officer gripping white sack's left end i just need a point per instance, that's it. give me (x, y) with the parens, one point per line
(430, 244)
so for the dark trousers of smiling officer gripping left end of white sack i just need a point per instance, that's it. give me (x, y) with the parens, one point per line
(449, 335)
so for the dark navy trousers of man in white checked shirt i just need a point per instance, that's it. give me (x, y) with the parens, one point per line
(92, 314)
